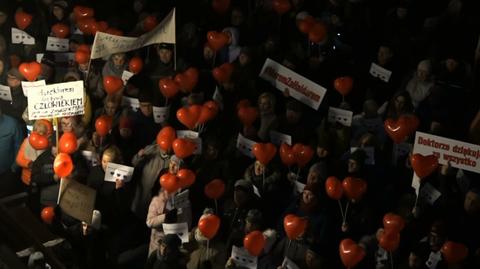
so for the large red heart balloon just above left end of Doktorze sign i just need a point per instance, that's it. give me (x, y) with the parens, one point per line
(399, 129)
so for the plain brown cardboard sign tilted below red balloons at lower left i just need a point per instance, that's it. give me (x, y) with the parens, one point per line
(77, 200)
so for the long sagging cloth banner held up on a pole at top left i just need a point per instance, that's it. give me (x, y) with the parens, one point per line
(106, 44)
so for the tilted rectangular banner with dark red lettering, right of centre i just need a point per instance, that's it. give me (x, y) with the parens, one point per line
(298, 87)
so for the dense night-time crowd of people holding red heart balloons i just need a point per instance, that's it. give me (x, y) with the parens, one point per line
(430, 47)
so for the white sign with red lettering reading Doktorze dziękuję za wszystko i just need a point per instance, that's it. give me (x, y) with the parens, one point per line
(460, 154)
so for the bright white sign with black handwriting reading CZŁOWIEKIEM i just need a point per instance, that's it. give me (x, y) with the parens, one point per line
(56, 100)
